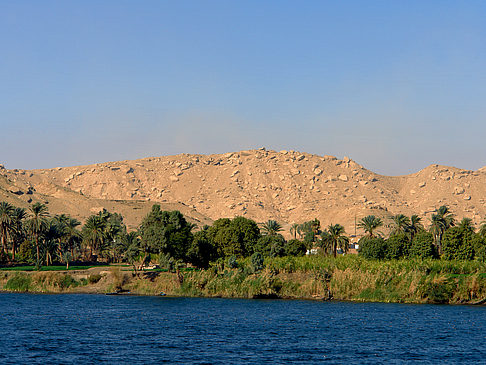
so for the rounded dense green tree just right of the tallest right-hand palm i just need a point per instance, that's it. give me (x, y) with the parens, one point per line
(457, 244)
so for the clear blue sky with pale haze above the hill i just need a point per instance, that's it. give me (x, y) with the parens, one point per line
(394, 85)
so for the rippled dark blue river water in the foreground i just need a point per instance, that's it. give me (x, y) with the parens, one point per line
(86, 329)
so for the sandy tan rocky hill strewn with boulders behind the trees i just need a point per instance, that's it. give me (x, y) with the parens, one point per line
(287, 186)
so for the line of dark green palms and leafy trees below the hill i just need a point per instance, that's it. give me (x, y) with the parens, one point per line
(33, 236)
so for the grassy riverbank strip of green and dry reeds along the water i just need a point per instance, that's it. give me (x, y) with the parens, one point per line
(348, 278)
